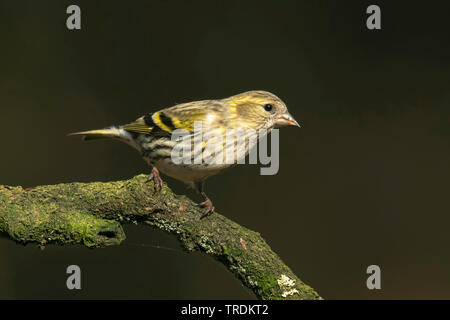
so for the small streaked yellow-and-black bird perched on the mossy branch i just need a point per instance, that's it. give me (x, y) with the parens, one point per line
(152, 133)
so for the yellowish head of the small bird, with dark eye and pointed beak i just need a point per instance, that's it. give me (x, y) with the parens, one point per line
(260, 110)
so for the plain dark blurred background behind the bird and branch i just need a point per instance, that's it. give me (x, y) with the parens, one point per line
(365, 181)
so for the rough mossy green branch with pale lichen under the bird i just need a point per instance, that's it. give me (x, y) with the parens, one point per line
(92, 214)
